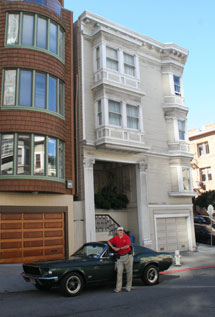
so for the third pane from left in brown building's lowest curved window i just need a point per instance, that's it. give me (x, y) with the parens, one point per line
(39, 155)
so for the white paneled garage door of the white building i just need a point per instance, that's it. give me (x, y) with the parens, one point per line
(172, 234)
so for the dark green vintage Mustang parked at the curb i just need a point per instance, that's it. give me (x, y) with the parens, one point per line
(94, 263)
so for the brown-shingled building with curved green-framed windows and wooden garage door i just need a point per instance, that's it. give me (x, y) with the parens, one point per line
(36, 130)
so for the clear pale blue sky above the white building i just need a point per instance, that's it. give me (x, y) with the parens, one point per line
(187, 23)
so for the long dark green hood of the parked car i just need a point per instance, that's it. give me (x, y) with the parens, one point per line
(73, 260)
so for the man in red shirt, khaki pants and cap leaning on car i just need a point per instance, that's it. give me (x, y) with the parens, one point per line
(122, 245)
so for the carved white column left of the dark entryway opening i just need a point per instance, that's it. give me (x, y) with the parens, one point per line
(90, 225)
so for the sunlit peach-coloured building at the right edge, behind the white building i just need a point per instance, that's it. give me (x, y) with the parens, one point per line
(202, 146)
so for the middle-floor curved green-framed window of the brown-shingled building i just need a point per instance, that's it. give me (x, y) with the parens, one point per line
(35, 89)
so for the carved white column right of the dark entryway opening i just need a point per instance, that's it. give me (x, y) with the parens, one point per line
(142, 204)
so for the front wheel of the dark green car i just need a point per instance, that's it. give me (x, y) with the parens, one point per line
(71, 284)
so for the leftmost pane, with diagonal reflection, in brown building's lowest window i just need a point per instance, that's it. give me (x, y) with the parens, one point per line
(7, 154)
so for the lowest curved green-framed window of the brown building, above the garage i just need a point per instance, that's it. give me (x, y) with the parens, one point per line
(31, 155)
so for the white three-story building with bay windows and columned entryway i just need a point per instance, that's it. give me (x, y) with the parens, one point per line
(131, 123)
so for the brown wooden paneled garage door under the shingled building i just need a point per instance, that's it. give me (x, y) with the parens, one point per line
(26, 237)
